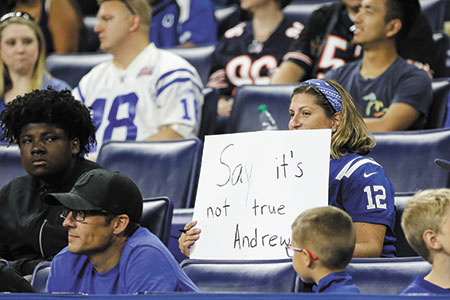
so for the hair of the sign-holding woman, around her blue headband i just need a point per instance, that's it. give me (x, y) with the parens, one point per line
(352, 135)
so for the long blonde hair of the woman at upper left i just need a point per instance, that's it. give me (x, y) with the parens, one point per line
(39, 67)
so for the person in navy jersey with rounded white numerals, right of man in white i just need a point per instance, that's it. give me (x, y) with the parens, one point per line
(248, 52)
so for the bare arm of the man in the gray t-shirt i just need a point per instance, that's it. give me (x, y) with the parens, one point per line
(400, 116)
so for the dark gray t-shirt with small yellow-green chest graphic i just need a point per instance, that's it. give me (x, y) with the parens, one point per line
(401, 82)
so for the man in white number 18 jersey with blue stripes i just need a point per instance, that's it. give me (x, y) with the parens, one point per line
(143, 93)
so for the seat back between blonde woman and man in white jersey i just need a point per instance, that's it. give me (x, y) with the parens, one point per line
(72, 67)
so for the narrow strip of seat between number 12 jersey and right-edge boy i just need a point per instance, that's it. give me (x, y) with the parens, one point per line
(402, 247)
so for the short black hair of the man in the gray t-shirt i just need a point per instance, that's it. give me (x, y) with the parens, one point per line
(407, 11)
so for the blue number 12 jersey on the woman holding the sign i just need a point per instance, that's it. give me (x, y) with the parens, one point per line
(359, 186)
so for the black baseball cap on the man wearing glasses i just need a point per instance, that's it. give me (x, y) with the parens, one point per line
(101, 189)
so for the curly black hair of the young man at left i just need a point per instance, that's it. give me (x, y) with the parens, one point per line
(58, 108)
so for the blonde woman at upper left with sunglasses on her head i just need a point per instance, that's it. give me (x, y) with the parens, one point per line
(22, 58)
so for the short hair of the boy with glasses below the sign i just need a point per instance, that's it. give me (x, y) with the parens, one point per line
(329, 232)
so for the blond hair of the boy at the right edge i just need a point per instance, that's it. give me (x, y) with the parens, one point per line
(426, 210)
